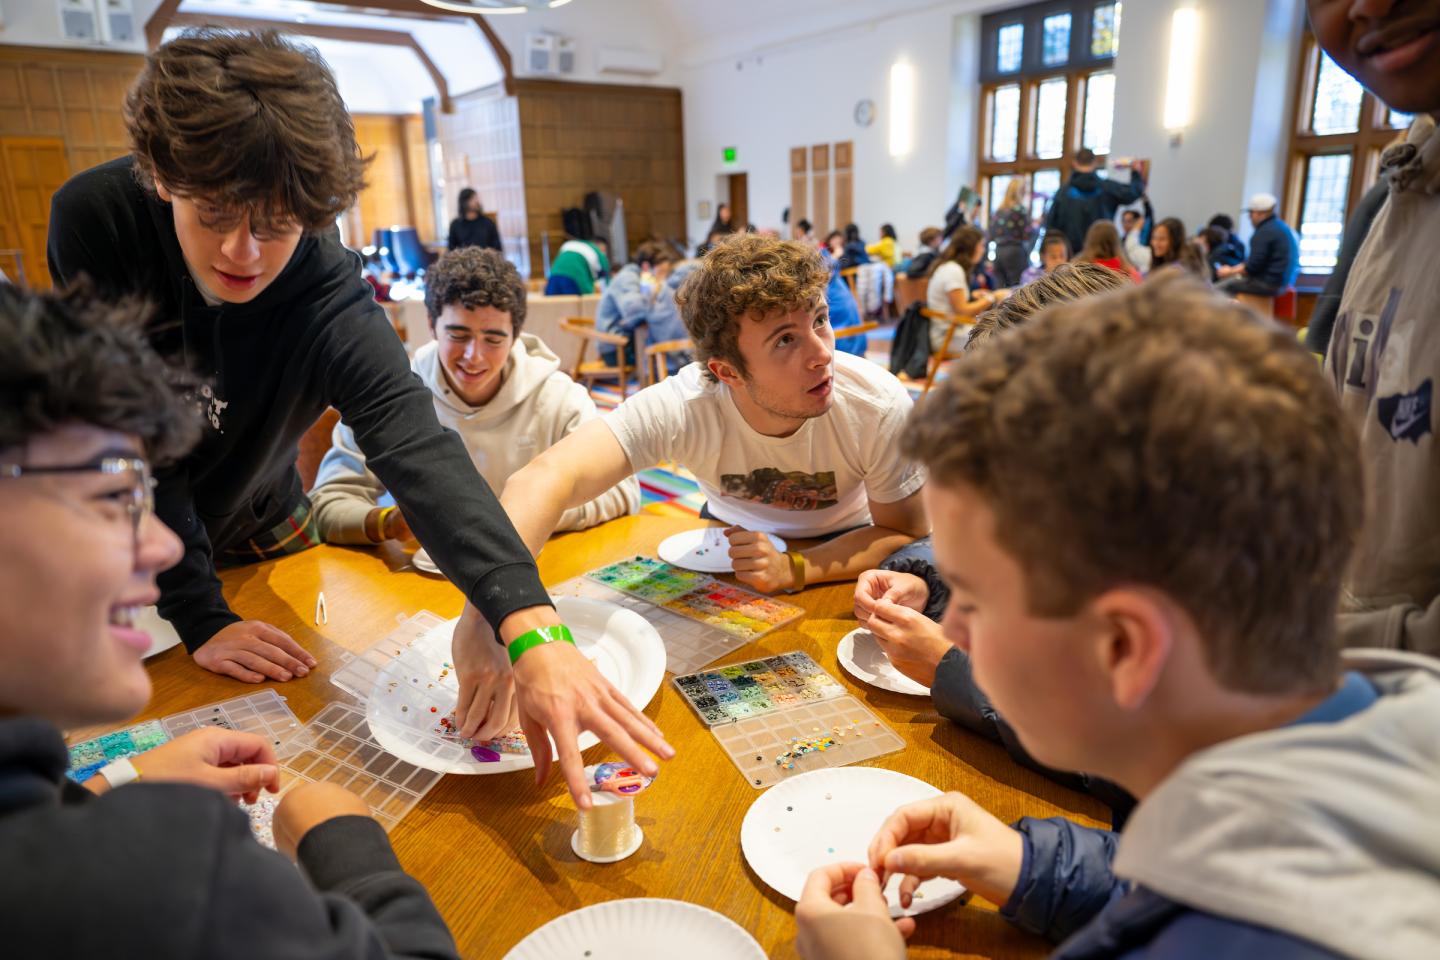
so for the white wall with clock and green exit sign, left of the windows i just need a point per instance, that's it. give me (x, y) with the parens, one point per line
(803, 93)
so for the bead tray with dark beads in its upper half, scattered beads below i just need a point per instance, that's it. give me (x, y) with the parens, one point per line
(784, 716)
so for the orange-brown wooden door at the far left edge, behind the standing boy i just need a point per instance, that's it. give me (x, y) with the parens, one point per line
(32, 169)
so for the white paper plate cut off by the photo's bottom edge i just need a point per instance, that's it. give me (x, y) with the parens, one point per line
(640, 929)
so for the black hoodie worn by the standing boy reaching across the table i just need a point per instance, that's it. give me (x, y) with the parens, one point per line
(313, 339)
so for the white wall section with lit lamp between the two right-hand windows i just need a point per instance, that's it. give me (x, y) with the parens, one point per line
(1238, 142)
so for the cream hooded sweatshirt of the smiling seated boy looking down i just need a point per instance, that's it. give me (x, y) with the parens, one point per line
(535, 408)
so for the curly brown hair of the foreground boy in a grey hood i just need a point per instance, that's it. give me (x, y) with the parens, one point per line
(1167, 438)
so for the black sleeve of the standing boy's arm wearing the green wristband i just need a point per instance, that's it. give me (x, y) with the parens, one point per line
(446, 500)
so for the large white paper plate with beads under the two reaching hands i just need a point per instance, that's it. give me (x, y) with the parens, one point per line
(413, 700)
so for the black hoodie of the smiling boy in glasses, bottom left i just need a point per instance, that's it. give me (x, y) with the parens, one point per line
(165, 870)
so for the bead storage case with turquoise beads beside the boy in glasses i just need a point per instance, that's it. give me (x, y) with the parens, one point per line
(264, 715)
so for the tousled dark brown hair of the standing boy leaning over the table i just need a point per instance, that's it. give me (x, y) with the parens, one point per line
(248, 123)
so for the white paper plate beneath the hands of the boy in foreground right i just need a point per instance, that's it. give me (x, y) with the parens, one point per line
(830, 817)
